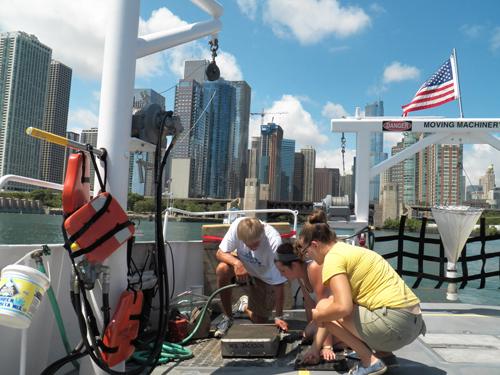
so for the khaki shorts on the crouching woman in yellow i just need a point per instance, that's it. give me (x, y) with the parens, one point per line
(387, 329)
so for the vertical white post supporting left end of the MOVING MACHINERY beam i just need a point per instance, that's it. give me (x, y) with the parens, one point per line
(362, 183)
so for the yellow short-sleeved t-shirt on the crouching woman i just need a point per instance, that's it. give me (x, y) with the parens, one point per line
(374, 283)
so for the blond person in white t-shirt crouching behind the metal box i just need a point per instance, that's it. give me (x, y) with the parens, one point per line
(253, 244)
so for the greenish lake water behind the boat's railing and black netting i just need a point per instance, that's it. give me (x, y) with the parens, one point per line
(46, 229)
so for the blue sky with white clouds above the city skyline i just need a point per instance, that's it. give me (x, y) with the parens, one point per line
(314, 59)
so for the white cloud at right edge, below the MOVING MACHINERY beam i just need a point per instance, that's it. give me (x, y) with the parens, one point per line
(477, 159)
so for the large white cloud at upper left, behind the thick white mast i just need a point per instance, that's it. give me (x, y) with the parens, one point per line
(78, 39)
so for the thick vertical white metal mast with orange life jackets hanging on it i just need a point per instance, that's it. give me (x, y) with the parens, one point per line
(115, 118)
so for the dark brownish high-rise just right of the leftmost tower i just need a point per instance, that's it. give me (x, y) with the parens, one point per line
(55, 121)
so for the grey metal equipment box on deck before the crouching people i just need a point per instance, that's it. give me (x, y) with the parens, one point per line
(251, 340)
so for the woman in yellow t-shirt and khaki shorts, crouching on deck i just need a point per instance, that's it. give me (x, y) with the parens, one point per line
(374, 312)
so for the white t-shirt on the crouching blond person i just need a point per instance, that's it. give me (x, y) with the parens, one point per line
(258, 263)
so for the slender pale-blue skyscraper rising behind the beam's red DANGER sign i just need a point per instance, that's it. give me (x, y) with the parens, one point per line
(377, 153)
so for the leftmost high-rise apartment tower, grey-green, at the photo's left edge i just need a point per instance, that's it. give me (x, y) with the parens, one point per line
(24, 71)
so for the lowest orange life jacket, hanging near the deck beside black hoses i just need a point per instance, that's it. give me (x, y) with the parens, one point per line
(122, 330)
